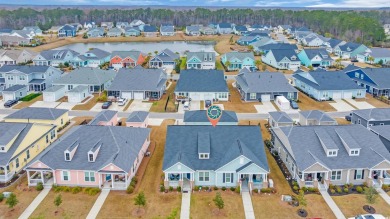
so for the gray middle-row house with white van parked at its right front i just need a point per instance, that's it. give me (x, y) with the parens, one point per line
(264, 86)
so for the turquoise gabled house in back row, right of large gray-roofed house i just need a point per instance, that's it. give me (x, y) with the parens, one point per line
(315, 58)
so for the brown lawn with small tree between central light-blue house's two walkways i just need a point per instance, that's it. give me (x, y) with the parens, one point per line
(202, 205)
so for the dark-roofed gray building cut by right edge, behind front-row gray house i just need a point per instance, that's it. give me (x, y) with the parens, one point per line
(371, 117)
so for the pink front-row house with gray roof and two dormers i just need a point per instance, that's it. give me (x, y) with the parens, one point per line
(105, 157)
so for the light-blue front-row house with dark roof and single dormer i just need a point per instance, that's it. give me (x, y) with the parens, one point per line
(221, 156)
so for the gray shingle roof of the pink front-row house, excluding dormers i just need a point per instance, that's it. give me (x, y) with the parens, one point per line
(119, 145)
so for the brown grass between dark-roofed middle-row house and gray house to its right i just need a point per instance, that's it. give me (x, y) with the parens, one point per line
(236, 104)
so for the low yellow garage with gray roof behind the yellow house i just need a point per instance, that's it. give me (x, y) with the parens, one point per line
(58, 117)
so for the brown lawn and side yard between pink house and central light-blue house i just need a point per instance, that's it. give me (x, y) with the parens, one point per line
(159, 205)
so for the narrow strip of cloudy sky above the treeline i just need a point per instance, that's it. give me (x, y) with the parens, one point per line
(227, 3)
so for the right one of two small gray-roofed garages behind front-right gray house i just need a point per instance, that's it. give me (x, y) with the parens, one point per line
(315, 117)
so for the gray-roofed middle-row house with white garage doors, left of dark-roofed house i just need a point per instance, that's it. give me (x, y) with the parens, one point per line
(139, 84)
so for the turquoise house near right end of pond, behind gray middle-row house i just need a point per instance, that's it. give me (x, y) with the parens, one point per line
(234, 61)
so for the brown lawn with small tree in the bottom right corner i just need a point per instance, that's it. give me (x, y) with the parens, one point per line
(352, 205)
